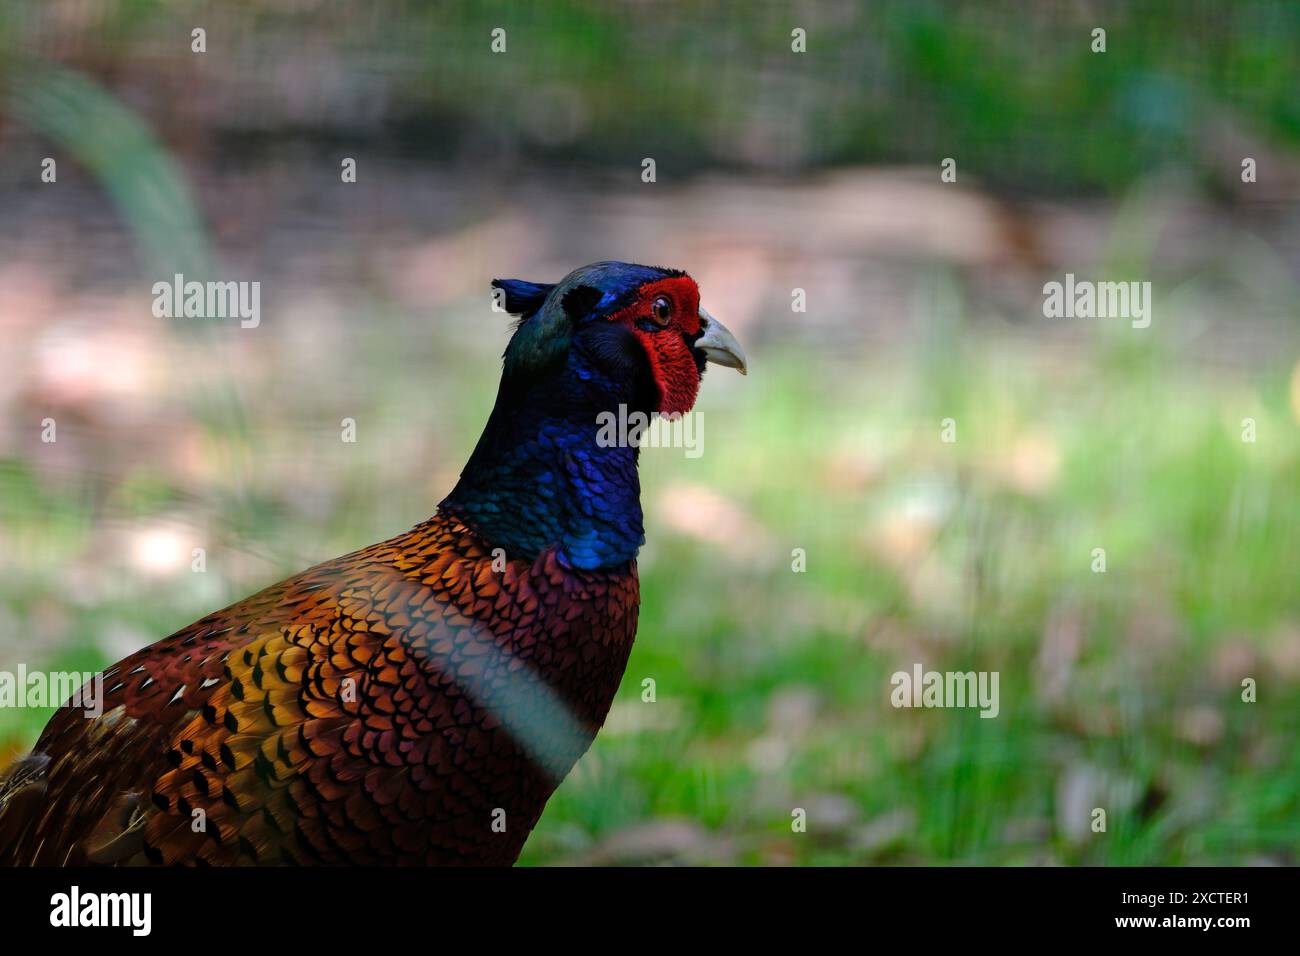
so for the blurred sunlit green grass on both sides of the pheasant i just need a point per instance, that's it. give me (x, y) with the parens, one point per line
(773, 686)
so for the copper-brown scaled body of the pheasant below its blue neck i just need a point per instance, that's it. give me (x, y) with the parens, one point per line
(246, 720)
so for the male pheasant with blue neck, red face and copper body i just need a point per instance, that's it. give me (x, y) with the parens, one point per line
(418, 702)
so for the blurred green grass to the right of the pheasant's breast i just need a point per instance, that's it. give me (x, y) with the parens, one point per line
(1155, 473)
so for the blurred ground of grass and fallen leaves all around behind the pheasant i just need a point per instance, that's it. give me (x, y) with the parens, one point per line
(925, 302)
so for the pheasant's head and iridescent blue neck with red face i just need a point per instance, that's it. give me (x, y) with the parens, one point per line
(606, 338)
